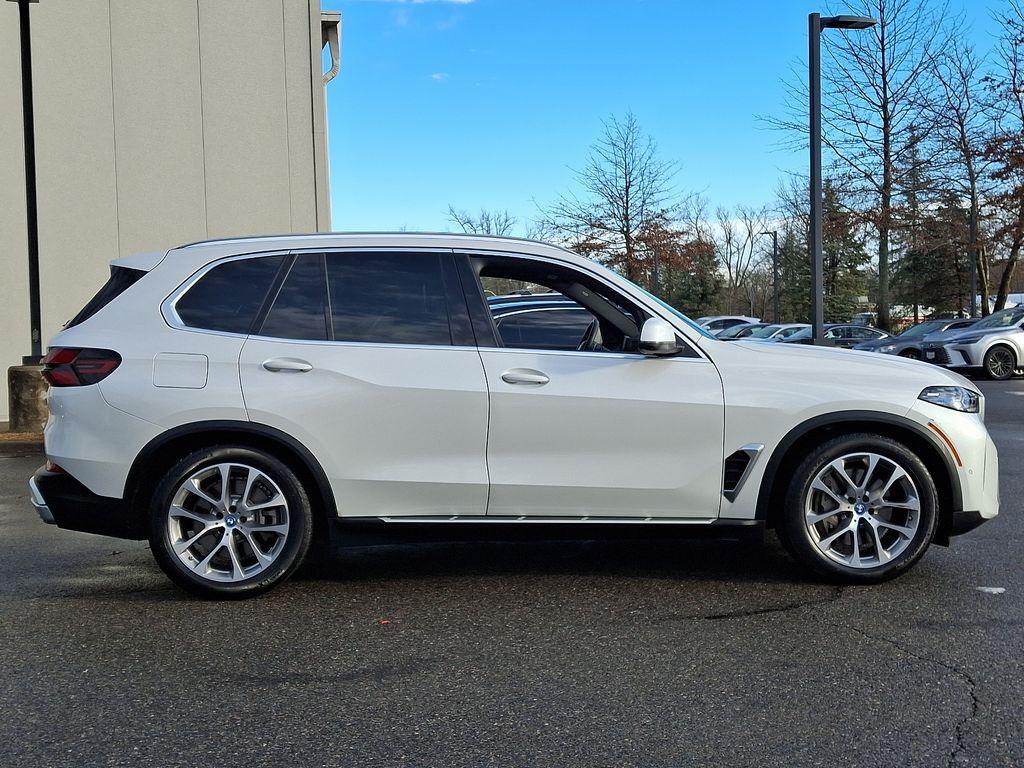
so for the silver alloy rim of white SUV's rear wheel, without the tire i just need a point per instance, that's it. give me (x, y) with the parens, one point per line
(228, 523)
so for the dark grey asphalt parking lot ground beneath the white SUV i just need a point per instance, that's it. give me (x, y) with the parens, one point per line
(587, 654)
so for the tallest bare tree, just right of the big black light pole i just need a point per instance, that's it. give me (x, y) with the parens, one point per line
(873, 87)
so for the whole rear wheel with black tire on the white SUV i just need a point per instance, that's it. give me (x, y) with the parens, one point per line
(230, 523)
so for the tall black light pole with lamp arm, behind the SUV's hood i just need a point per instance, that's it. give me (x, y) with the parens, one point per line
(816, 23)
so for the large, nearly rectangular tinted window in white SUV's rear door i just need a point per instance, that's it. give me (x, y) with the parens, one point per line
(389, 298)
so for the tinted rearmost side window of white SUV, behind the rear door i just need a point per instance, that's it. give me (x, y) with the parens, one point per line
(229, 296)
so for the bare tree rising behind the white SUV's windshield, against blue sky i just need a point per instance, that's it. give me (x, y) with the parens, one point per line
(625, 191)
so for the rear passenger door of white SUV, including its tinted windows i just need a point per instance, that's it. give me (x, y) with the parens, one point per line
(368, 359)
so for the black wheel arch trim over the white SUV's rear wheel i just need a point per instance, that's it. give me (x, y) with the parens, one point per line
(162, 451)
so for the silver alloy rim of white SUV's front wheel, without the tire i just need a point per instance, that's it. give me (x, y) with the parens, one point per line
(863, 510)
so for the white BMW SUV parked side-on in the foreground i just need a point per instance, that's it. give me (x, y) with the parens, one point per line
(237, 402)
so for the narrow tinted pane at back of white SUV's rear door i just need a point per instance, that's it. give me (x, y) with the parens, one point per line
(301, 310)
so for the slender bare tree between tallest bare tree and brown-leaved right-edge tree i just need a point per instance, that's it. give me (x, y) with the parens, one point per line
(962, 130)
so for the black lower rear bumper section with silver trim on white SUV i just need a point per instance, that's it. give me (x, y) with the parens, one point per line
(63, 501)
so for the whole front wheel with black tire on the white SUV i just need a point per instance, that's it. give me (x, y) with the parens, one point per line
(861, 508)
